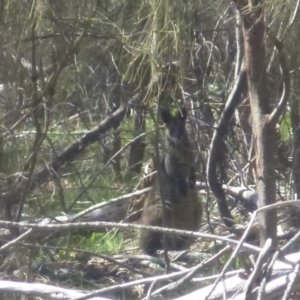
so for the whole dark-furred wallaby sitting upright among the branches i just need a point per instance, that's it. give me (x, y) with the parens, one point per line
(177, 182)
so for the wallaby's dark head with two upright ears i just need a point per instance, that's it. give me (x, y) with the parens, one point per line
(176, 132)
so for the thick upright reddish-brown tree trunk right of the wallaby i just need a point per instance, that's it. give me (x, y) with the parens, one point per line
(264, 131)
